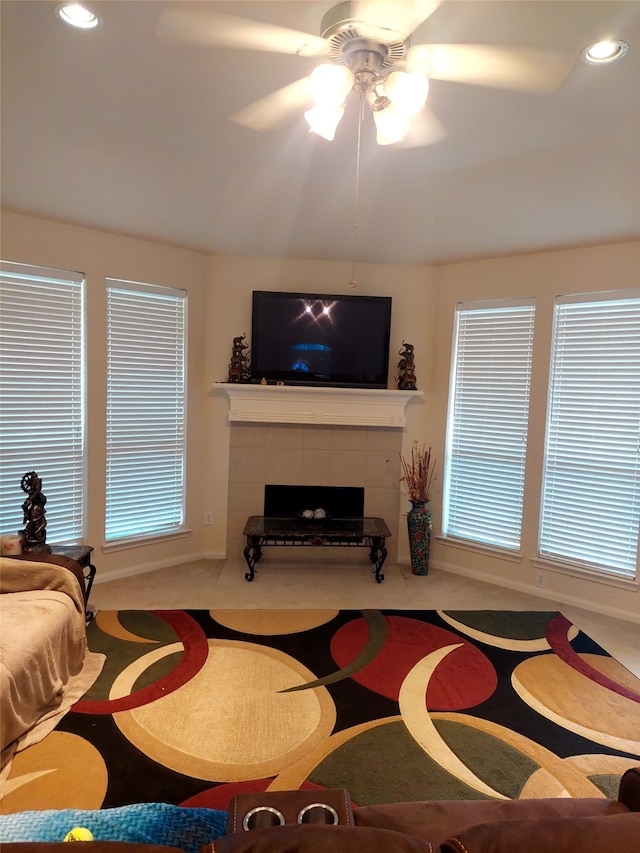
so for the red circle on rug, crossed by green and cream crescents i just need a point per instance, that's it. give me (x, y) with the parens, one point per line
(464, 678)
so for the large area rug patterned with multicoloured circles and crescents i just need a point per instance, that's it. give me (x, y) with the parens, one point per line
(194, 706)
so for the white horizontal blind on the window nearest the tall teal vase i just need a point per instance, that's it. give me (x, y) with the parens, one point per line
(487, 422)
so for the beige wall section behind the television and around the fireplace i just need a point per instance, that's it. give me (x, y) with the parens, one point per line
(230, 282)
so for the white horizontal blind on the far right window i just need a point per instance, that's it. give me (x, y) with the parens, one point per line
(591, 492)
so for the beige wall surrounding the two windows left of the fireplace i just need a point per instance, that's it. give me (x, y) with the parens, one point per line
(99, 255)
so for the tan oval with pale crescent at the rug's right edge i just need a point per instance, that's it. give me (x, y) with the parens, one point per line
(578, 704)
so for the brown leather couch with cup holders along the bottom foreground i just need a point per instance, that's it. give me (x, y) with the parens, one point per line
(510, 826)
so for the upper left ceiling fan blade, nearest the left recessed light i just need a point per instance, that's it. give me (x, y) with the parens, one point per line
(242, 33)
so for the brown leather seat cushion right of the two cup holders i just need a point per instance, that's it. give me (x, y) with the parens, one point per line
(436, 820)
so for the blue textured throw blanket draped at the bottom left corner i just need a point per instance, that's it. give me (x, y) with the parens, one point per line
(142, 823)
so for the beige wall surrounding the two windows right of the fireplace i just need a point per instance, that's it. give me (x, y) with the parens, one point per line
(542, 276)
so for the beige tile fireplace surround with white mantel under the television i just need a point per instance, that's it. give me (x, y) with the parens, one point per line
(322, 437)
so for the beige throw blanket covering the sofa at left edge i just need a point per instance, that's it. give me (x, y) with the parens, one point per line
(42, 649)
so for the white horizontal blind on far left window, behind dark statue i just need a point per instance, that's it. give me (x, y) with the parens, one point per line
(42, 399)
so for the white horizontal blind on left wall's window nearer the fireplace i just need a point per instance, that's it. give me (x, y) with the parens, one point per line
(145, 410)
